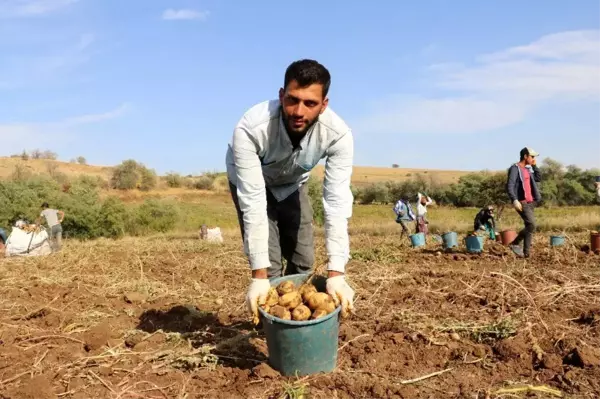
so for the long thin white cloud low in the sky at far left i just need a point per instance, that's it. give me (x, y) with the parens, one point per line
(13, 135)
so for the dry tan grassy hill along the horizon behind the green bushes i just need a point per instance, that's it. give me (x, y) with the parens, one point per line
(363, 175)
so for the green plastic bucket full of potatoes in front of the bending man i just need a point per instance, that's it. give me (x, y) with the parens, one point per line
(302, 347)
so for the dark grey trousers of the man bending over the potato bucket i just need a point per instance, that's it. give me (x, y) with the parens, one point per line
(290, 232)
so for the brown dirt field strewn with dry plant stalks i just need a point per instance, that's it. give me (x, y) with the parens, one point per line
(149, 318)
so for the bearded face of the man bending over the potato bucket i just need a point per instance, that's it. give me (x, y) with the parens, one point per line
(301, 106)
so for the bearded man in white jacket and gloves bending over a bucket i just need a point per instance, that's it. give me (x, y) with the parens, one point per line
(275, 146)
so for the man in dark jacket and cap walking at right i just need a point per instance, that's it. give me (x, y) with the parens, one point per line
(524, 193)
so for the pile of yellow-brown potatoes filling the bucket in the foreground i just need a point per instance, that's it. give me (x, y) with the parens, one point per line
(290, 303)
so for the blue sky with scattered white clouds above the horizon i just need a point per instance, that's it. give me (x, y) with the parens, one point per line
(434, 84)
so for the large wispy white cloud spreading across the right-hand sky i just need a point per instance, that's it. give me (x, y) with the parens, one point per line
(498, 89)
